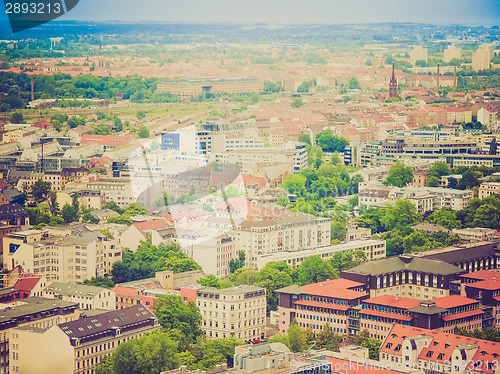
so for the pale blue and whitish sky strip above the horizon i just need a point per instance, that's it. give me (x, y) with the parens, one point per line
(466, 12)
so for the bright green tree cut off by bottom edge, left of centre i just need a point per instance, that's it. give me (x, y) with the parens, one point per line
(151, 353)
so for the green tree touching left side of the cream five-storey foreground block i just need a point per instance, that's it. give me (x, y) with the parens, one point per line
(172, 313)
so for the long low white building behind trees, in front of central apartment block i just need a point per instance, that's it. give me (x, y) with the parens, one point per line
(374, 249)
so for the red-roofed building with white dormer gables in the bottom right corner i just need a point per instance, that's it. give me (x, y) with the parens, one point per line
(438, 352)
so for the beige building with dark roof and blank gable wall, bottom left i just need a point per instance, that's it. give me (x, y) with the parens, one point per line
(77, 346)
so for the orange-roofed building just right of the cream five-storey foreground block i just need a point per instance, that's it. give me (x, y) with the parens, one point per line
(313, 305)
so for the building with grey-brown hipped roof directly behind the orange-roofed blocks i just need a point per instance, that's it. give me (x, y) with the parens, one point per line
(405, 276)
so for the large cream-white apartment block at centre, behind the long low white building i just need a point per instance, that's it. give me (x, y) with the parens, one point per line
(292, 232)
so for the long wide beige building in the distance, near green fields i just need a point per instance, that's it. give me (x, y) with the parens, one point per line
(187, 88)
